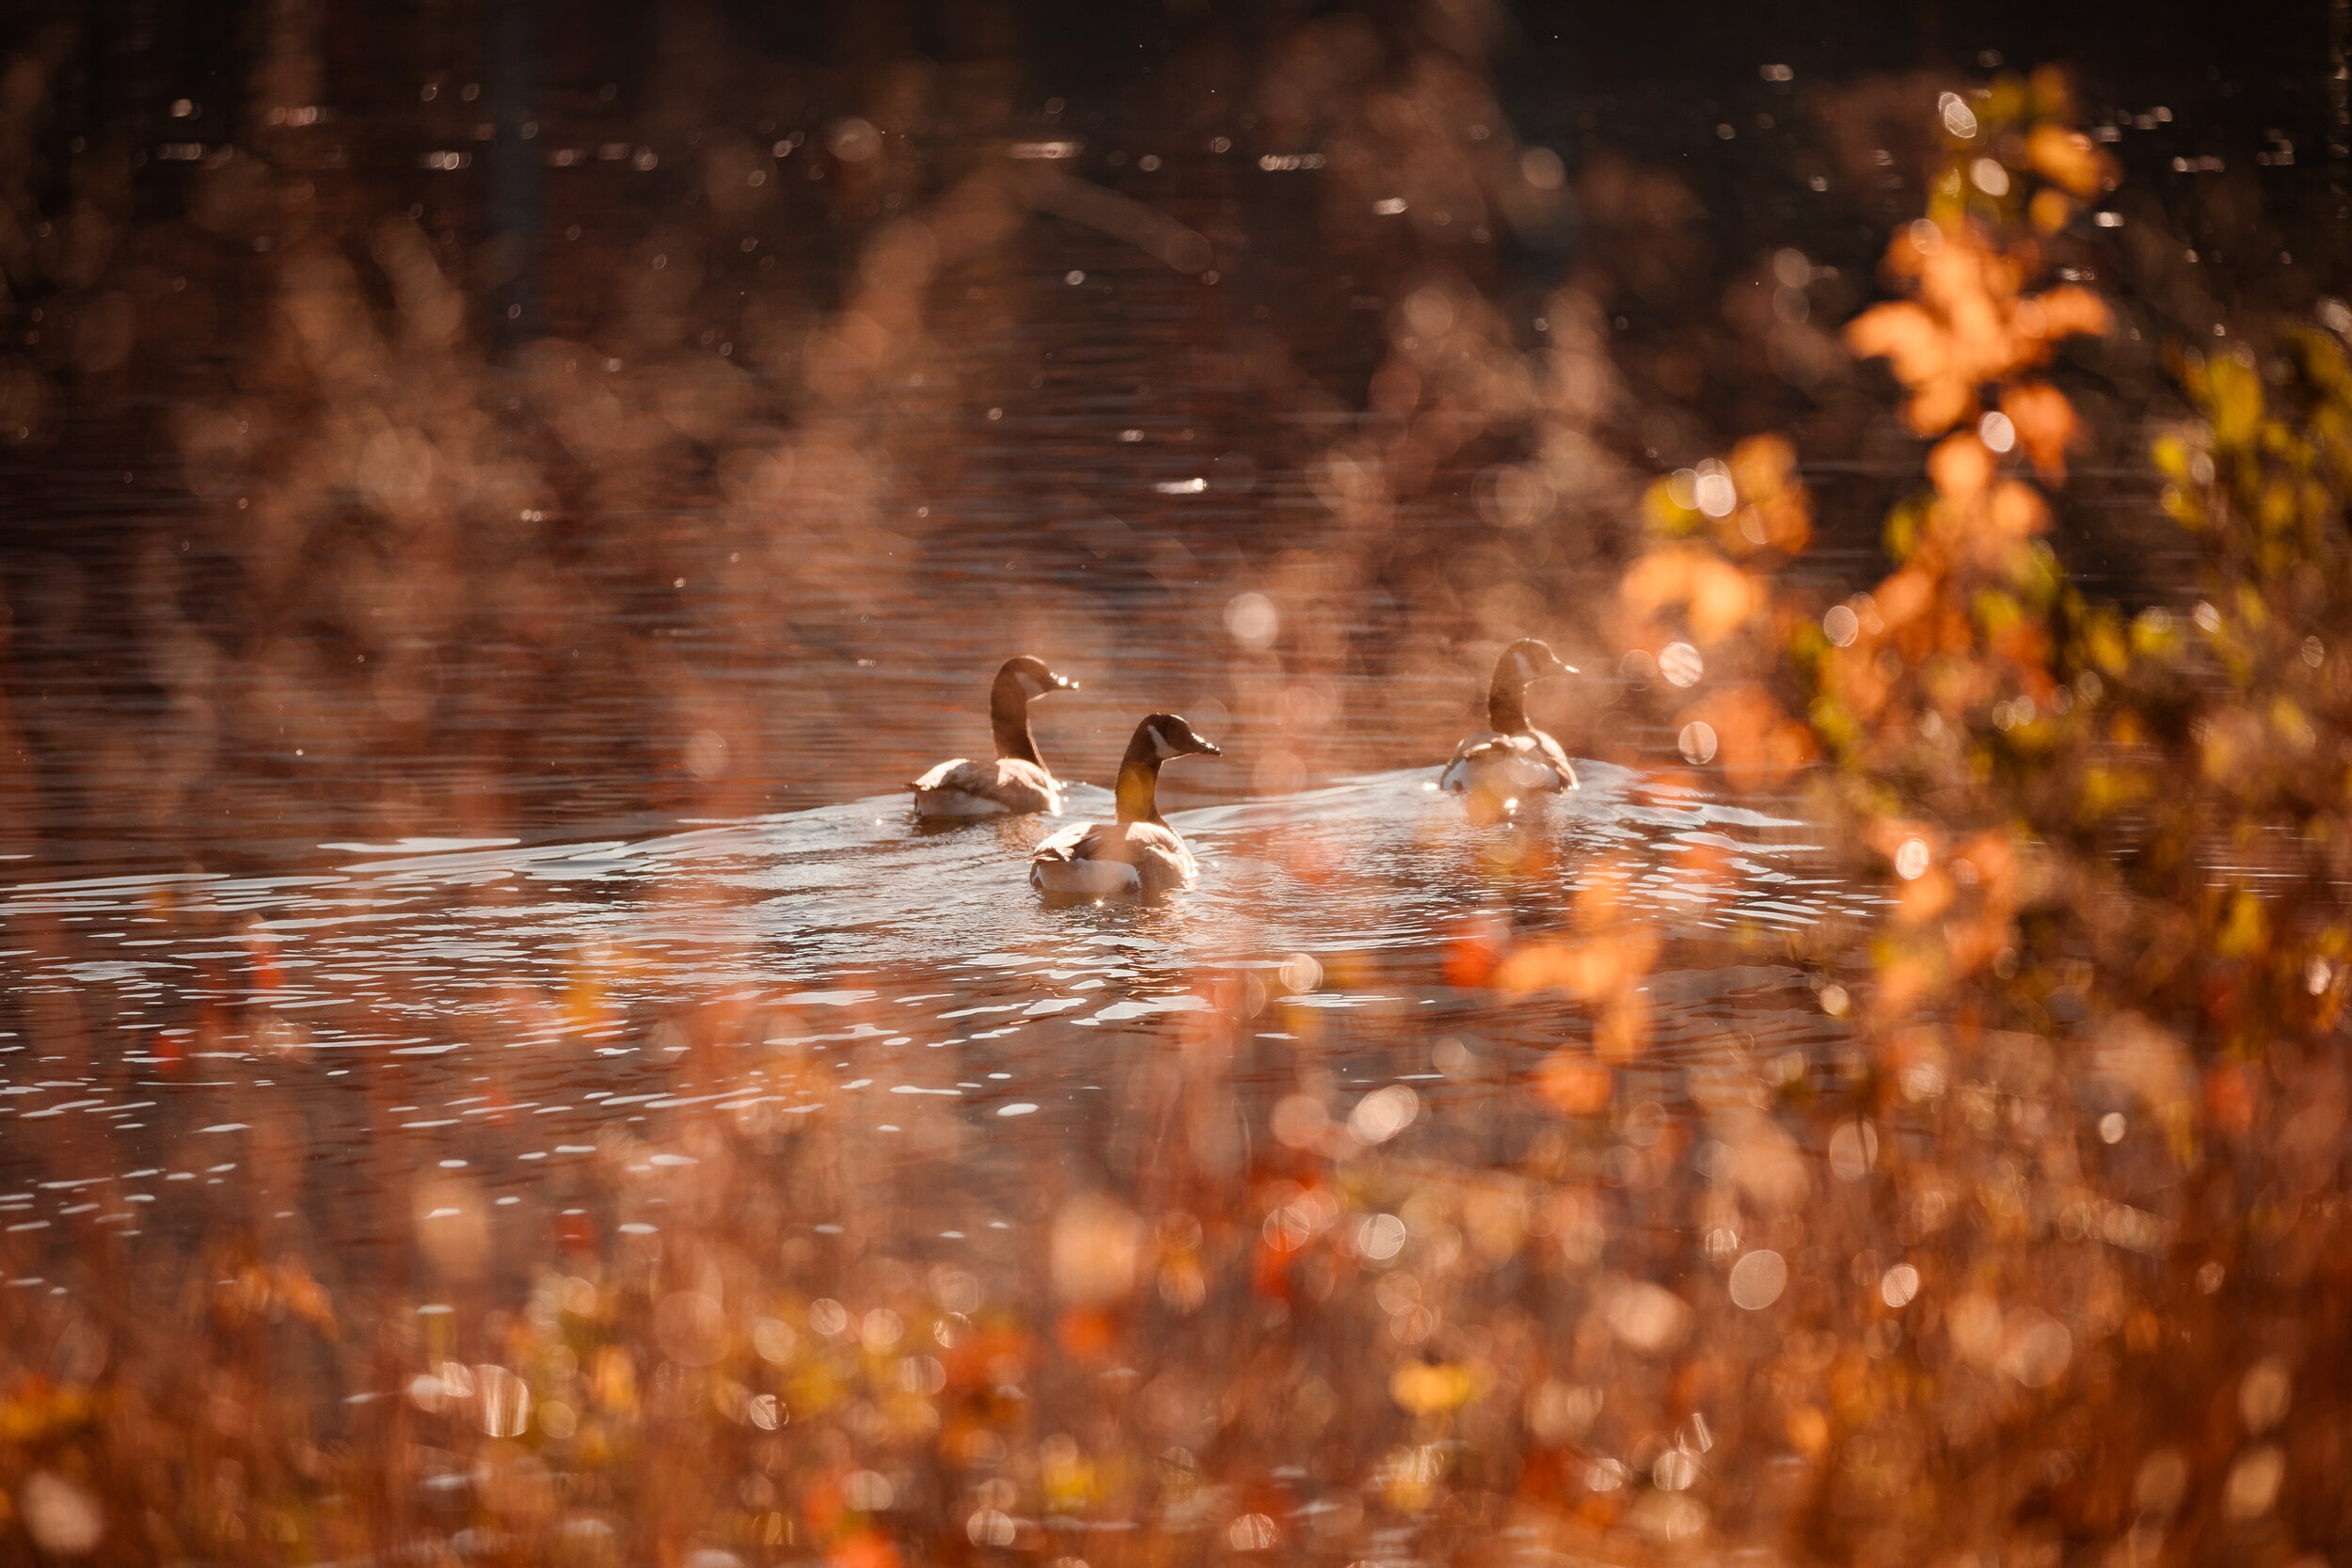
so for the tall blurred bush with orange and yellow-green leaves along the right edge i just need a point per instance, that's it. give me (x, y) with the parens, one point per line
(2116, 850)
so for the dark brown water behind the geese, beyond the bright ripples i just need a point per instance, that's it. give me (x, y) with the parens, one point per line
(352, 666)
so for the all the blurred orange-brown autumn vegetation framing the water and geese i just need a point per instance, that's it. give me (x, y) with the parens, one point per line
(2045, 1264)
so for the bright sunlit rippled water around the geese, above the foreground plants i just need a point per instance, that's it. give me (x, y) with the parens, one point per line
(502, 1010)
